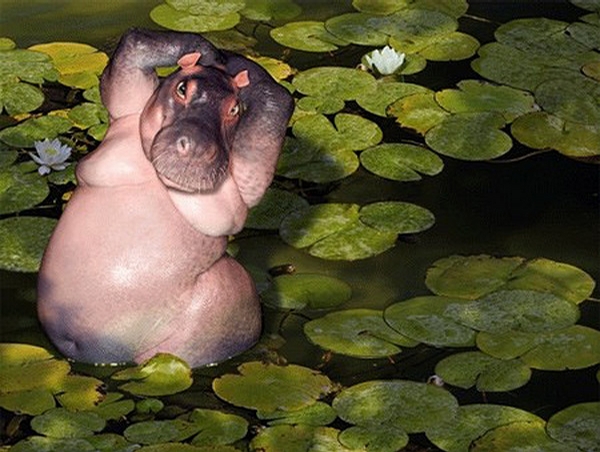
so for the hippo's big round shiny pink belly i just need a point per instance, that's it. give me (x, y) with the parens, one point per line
(116, 272)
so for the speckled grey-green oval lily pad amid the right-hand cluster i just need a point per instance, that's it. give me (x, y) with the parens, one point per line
(517, 310)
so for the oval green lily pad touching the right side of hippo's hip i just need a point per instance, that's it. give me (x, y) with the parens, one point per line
(306, 290)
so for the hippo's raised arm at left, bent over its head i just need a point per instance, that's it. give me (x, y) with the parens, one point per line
(129, 80)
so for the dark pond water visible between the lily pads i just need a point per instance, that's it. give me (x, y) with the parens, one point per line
(542, 206)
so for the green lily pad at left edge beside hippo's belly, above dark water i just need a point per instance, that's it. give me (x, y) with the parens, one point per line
(23, 241)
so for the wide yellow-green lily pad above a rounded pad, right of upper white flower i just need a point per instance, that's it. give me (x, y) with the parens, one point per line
(476, 96)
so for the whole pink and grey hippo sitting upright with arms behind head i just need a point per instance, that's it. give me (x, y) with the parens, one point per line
(137, 263)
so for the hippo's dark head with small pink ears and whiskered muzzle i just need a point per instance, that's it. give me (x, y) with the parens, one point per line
(189, 124)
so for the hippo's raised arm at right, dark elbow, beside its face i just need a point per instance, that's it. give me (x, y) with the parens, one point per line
(267, 107)
